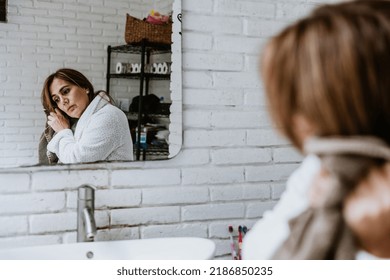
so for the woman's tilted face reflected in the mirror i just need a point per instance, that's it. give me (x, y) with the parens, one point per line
(69, 98)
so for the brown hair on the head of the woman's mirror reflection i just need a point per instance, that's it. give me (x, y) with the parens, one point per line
(71, 76)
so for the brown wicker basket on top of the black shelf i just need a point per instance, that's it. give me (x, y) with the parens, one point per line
(137, 30)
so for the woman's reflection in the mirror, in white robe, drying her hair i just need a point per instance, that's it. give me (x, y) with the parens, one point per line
(82, 125)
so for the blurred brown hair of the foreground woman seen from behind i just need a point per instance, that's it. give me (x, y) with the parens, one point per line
(329, 67)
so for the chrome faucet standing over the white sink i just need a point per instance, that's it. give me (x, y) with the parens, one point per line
(86, 226)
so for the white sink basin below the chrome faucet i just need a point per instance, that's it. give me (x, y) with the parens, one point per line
(175, 248)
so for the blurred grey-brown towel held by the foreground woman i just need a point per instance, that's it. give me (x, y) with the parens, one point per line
(321, 233)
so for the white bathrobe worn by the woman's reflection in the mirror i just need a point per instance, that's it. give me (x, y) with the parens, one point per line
(102, 134)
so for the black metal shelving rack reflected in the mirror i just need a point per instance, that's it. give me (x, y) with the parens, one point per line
(145, 49)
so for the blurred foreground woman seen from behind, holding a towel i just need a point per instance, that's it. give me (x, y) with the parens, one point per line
(325, 80)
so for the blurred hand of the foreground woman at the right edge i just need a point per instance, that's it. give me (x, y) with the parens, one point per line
(367, 212)
